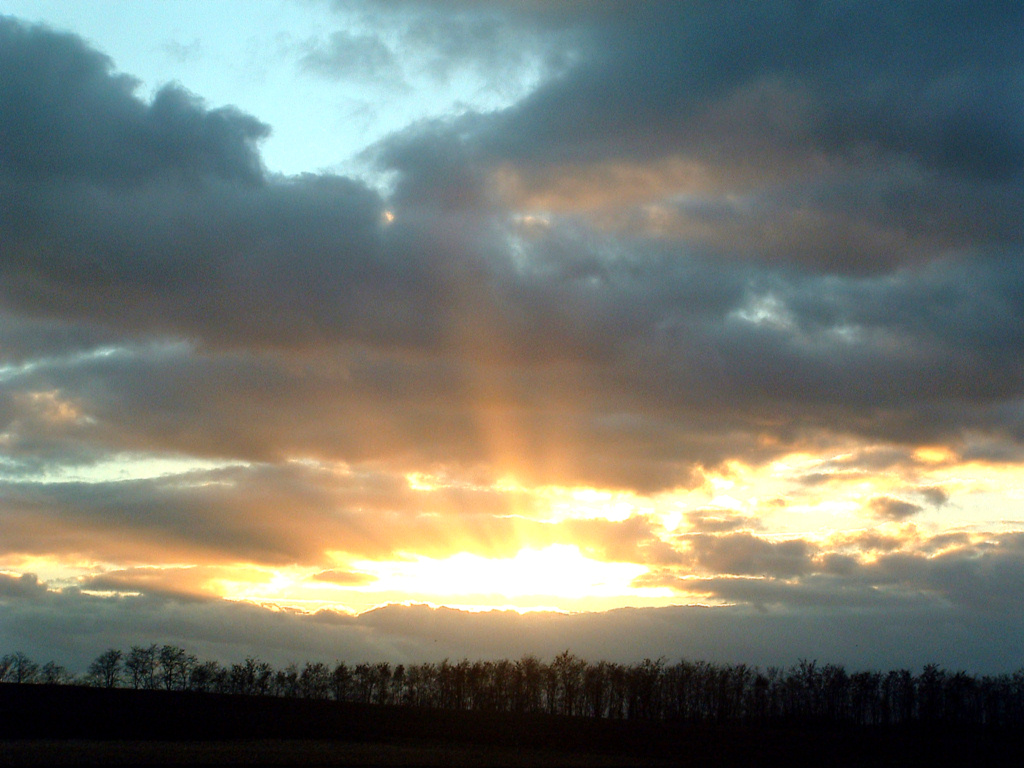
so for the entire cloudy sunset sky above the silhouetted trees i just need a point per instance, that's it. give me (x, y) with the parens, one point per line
(402, 331)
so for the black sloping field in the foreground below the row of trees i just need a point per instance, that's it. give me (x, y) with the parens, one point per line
(71, 726)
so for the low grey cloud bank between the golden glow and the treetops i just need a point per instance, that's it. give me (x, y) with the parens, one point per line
(73, 628)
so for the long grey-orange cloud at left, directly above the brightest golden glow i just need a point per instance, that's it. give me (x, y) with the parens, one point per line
(239, 515)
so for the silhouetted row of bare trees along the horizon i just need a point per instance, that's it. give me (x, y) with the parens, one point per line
(686, 692)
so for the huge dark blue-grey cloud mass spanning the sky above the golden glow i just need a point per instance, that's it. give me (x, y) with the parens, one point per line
(634, 355)
